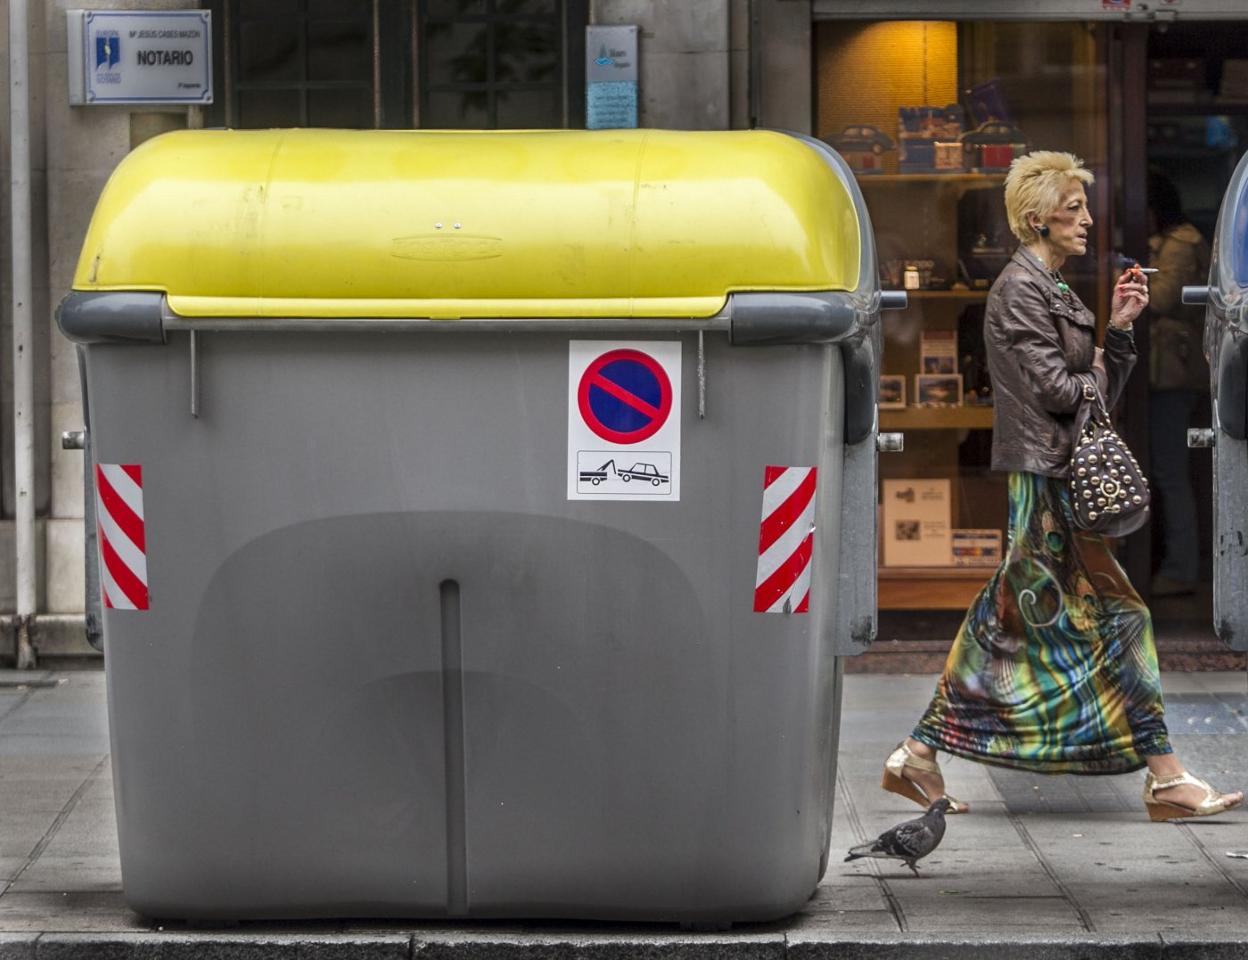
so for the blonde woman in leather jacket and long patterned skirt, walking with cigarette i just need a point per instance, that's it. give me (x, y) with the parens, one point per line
(1054, 670)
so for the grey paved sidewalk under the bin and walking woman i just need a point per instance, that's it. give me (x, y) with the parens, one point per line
(1044, 868)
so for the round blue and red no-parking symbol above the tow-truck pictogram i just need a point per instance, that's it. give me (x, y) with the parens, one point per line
(625, 396)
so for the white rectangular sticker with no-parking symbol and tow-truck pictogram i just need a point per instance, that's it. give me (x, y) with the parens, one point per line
(623, 420)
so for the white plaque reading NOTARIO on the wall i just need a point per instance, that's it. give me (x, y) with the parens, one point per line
(140, 57)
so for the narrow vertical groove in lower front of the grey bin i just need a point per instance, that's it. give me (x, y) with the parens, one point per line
(454, 740)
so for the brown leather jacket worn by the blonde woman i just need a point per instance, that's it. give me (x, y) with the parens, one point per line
(1040, 345)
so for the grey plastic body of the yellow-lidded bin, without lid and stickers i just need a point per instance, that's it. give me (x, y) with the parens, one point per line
(390, 670)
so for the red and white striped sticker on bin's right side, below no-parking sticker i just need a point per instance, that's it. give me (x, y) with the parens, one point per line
(787, 540)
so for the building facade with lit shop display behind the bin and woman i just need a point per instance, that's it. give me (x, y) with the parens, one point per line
(1123, 84)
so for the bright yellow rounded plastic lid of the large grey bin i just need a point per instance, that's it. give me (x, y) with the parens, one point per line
(467, 224)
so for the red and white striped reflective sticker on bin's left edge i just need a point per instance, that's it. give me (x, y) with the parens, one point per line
(119, 511)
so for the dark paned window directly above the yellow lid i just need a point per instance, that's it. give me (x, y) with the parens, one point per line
(351, 63)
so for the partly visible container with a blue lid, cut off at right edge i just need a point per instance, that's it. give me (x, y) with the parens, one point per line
(1226, 344)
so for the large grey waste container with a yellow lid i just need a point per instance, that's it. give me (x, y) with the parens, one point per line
(482, 519)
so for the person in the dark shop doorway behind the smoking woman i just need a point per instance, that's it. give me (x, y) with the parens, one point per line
(1179, 376)
